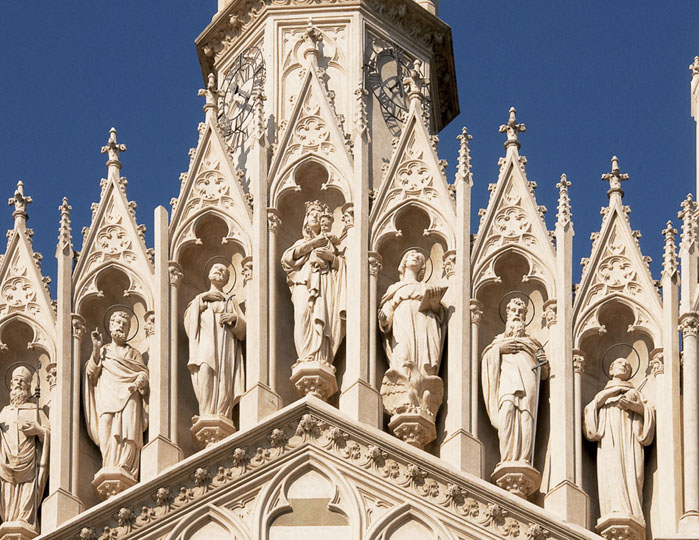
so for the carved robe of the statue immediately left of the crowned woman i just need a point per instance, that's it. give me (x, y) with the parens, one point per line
(218, 347)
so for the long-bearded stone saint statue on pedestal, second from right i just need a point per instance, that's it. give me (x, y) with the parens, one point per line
(511, 369)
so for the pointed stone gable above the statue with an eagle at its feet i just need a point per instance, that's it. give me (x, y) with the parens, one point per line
(414, 177)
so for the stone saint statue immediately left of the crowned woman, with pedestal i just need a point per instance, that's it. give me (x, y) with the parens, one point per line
(215, 326)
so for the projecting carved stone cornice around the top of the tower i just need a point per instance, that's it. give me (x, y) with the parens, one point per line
(404, 16)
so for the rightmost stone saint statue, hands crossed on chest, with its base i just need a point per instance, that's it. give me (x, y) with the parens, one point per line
(622, 423)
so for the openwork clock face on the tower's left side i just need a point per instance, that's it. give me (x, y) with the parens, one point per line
(243, 78)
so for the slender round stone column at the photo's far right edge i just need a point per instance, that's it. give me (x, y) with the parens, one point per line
(689, 323)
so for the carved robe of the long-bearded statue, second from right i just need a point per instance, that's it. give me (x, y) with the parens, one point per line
(510, 383)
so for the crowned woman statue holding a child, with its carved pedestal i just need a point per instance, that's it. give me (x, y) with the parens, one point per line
(316, 272)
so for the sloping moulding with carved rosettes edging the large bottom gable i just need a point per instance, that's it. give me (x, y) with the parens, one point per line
(311, 426)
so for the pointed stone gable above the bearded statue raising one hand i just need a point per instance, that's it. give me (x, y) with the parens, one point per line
(113, 238)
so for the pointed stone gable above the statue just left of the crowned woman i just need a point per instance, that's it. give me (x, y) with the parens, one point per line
(210, 186)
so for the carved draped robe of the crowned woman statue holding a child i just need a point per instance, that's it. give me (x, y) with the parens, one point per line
(318, 290)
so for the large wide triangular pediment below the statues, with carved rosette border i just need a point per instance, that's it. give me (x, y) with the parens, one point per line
(309, 456)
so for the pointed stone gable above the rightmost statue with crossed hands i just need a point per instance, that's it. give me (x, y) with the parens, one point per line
(616, 268)
